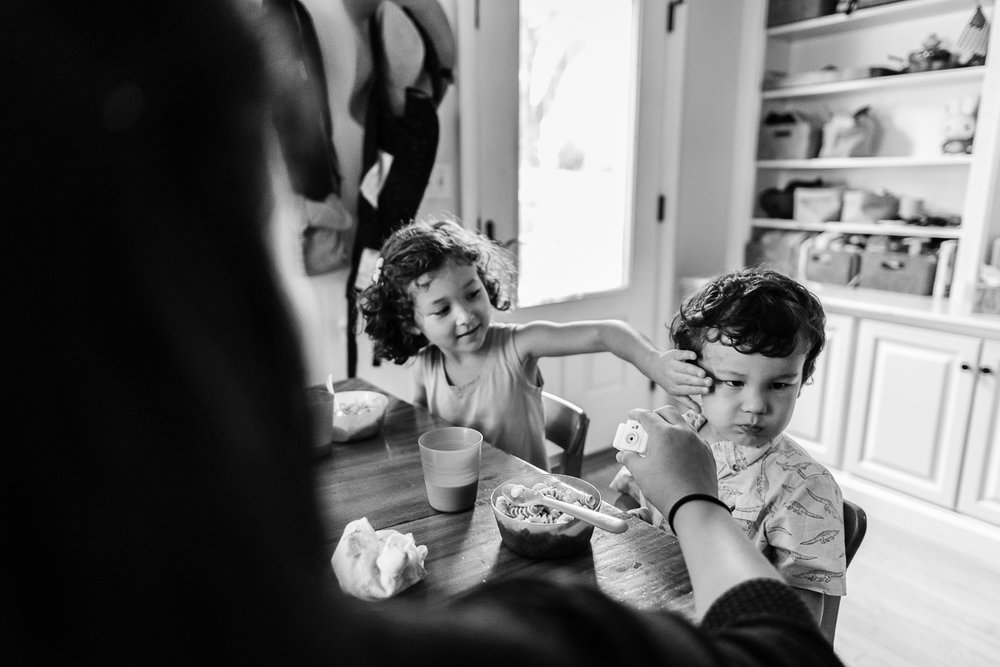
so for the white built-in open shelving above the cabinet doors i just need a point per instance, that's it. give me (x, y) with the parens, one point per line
(910, 108)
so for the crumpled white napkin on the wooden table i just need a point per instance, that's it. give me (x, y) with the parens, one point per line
(377, 564)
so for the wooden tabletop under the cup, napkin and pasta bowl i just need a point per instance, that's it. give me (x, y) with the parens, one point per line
(381, 479)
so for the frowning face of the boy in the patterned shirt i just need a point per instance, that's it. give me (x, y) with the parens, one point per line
(752, 396)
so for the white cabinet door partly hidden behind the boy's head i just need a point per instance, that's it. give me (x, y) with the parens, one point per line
(818, 422)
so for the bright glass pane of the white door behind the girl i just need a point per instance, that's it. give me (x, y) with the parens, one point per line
(577, 82)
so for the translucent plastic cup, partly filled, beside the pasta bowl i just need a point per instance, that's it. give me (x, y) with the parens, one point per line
(450, 459)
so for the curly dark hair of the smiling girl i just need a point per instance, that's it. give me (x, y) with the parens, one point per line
(412, 251)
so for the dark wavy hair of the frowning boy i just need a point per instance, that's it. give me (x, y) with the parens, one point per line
(755, 311)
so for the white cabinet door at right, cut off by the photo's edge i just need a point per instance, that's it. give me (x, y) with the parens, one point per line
(979, 494)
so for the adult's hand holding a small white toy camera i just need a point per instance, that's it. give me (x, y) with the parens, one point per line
(677, 461)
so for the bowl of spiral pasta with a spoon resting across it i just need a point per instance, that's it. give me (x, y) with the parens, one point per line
(537, 531)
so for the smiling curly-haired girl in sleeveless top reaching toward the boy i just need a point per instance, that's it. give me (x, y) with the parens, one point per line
(434, 291)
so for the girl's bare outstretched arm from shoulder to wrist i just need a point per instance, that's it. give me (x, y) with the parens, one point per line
(550, 339)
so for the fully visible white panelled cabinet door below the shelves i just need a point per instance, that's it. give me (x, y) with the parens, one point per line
(910, 409)
